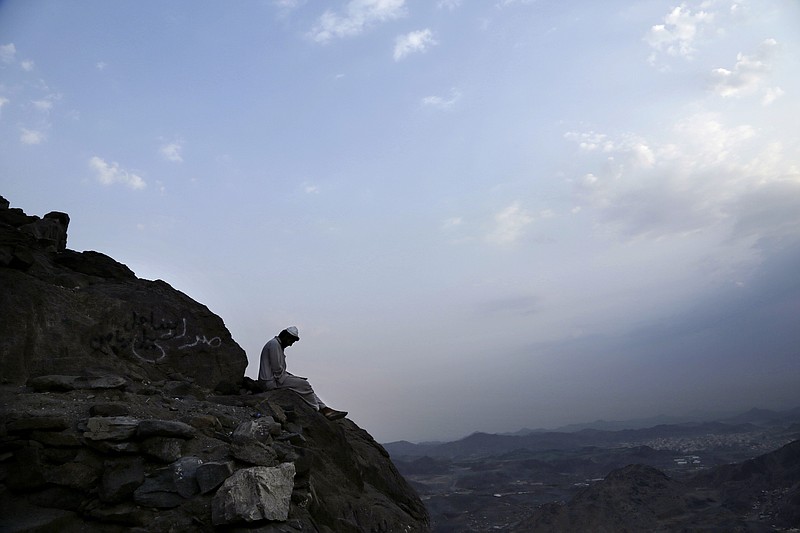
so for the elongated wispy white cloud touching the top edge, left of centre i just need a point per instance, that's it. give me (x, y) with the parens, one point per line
(358, 16)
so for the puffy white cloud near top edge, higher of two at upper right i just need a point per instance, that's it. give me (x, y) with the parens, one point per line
(676, 36)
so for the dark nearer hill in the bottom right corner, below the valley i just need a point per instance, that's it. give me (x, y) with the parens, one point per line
(761, 494)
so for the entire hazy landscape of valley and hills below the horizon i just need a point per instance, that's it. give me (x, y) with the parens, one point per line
(740, 472)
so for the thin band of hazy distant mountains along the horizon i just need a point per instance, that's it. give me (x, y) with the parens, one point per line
(609, 434)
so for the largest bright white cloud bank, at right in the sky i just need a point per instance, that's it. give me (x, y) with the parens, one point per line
(692, 181)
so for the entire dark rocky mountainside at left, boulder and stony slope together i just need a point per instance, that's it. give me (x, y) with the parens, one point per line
(123, 409)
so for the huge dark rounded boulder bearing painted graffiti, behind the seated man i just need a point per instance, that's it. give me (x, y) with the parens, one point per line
(68, 313)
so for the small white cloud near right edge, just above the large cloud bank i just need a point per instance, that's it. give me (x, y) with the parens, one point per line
(748, 74)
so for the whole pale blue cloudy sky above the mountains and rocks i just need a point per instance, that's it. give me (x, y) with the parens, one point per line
(482, 215)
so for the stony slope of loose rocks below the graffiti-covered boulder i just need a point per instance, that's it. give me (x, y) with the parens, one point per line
(108, 454)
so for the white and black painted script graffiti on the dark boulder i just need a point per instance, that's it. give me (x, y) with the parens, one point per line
(151, 340)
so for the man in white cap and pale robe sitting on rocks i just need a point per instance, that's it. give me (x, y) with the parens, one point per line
(272, 373)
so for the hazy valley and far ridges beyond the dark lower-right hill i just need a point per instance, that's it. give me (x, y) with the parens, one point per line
(495, 482)
